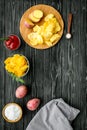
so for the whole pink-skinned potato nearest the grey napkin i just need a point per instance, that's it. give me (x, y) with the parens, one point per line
(33, 104)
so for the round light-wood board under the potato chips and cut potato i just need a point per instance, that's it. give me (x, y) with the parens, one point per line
(46, 10)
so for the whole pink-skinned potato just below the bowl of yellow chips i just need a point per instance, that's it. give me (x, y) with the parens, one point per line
(21, 91)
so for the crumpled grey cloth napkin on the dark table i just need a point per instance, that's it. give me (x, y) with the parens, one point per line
(55, 115)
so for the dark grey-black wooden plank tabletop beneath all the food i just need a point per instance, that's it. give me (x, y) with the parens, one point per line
(56, 72)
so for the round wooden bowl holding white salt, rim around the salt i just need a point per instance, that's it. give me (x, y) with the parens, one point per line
(12, 121)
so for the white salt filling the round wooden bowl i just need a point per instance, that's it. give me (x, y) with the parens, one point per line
(12, 112)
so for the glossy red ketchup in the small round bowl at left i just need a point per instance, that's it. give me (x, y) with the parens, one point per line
(13, 42)
